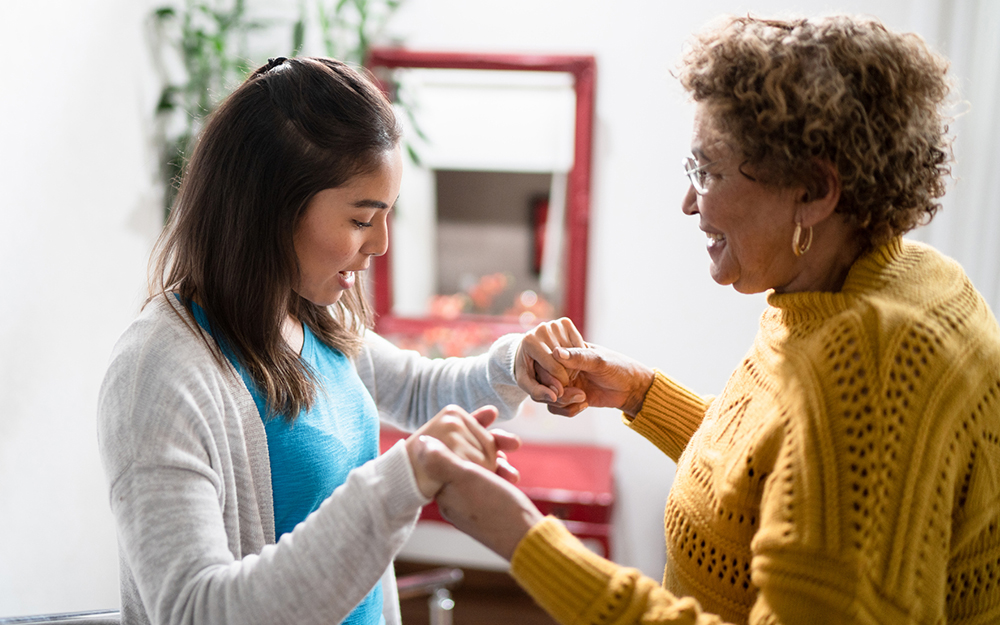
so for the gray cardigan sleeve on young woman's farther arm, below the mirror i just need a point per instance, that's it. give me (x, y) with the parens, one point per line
(409, 388)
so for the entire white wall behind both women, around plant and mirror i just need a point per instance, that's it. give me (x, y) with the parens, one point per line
(81, 202)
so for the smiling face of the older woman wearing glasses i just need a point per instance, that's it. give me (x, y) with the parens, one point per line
(749, 224)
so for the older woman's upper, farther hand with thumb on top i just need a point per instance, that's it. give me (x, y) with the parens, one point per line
(605, 378)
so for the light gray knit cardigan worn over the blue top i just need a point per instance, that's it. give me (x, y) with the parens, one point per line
(186, 458)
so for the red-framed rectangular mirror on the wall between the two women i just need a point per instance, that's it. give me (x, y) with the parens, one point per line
(481, 233)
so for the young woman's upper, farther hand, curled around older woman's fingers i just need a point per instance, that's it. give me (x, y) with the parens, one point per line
(537, 372)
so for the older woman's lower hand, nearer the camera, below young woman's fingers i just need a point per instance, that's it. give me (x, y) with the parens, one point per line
(480, 503)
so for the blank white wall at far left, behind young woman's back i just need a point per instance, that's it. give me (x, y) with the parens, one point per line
(77, 217)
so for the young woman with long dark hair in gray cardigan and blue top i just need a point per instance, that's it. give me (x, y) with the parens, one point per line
(238, 420)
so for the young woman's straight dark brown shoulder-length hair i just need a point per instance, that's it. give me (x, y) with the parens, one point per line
(294, 128)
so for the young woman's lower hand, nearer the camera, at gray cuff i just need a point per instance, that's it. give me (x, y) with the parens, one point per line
(464, 436)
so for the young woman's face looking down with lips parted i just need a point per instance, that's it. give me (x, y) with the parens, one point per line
(342, 228)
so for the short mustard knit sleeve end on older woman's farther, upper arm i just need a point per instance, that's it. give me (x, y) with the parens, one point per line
(670, 415)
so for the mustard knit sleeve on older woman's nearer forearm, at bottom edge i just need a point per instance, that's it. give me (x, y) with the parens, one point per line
(576, 586)
